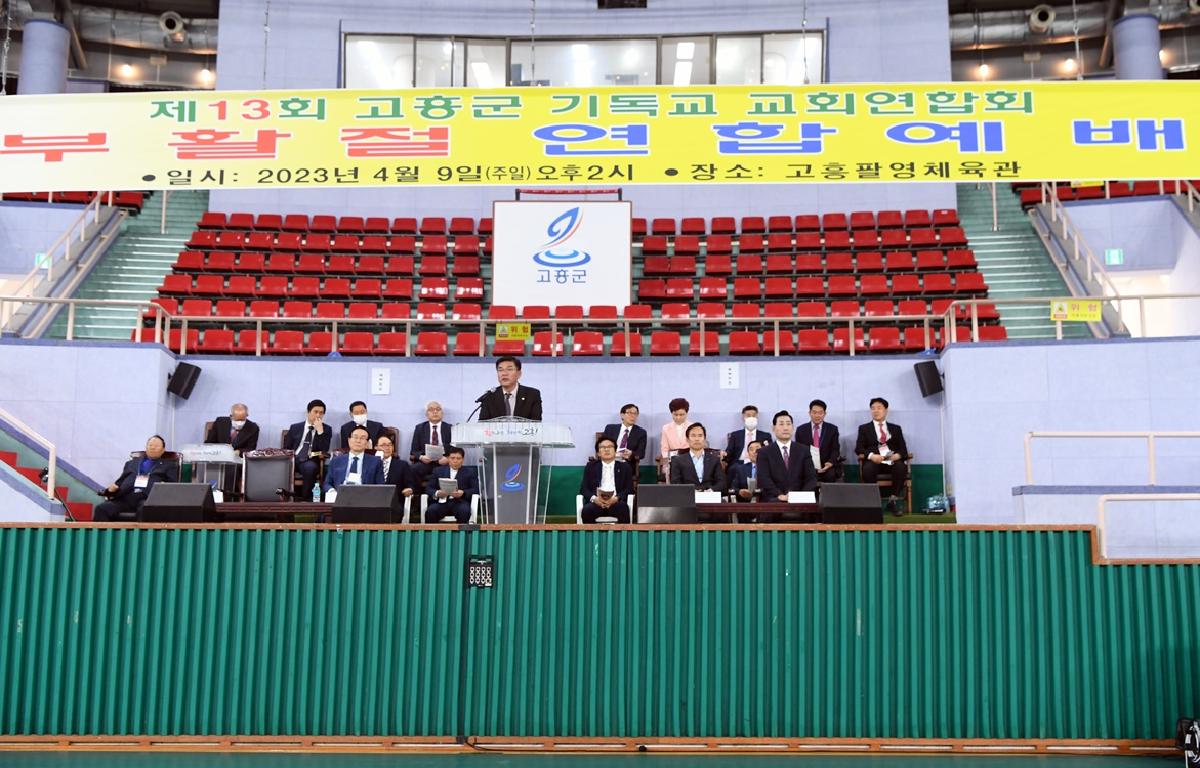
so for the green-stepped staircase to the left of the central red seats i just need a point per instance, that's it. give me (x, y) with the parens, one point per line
(135, 267)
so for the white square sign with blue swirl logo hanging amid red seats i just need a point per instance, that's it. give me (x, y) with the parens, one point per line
(562, 254)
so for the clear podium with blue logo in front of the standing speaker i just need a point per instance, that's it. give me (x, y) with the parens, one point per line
(511, 465)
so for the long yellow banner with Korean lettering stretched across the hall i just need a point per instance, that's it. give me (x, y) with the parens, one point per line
(602, 137)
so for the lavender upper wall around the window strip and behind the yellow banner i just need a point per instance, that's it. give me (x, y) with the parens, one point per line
(868, 41)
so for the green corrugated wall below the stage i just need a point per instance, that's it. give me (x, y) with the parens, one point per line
(905, 633)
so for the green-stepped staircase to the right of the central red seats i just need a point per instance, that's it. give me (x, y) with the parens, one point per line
(1015, 262)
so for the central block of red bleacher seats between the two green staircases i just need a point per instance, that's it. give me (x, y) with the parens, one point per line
(809, 273)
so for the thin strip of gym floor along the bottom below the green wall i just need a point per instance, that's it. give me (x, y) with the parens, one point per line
(211, 760)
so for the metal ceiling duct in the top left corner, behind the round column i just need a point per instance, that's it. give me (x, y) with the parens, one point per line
(169, 33)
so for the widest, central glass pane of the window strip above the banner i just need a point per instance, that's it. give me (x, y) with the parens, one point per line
(585, 63)
